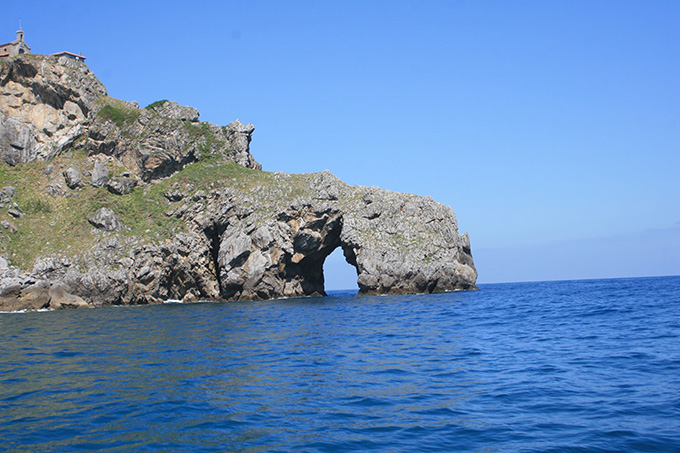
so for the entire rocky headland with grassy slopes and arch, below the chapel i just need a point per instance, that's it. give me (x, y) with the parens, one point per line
(103, 202)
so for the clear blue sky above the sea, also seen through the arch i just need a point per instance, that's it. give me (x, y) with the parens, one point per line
(552, 128)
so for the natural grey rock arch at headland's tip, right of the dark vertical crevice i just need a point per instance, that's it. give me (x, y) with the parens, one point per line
(398, 243)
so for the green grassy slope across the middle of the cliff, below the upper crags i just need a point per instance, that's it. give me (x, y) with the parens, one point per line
(58, 224)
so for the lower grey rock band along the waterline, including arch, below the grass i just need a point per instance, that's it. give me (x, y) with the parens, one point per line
(266, 242)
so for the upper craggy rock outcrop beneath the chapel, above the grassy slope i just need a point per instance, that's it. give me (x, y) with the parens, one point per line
(49, 105)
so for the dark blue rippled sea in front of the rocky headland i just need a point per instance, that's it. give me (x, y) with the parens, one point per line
(590, 365)
